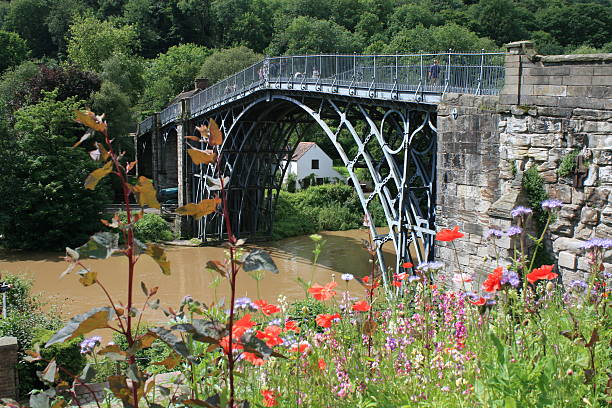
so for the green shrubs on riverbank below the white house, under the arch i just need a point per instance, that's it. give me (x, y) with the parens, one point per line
(333, 207)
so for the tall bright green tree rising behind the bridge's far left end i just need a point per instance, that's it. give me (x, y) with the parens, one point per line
(171, 73)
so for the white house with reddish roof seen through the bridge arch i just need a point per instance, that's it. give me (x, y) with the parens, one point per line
(308, 159)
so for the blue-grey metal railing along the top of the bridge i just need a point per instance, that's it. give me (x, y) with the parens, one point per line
(472, 73)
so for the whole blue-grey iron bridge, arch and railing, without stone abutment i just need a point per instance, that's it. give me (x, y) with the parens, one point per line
(385, 103)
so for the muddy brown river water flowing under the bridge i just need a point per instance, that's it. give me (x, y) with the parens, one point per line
(342, 253)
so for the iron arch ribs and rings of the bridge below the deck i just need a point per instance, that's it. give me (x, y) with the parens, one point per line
(394, 142)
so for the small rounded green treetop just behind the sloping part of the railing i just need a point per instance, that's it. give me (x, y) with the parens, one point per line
(223, 63)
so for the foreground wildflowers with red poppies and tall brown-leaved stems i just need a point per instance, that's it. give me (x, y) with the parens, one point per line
(514, 335)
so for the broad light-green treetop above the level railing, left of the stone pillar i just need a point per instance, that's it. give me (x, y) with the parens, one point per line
(441, 38)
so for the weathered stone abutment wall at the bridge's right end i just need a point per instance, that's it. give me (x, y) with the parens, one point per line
(551, 106)
